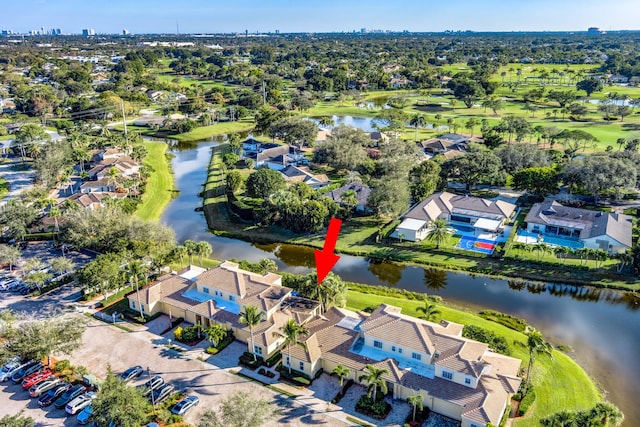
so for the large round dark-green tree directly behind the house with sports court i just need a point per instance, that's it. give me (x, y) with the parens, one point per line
(477, 167)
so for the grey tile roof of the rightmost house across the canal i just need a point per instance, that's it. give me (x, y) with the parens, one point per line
(590, 223)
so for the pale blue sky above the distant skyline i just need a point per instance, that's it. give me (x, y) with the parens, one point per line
(216, 16)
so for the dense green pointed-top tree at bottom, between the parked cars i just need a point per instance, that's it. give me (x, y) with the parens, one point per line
(119, 404)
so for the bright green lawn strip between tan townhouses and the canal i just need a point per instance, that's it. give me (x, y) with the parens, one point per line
(560, 383)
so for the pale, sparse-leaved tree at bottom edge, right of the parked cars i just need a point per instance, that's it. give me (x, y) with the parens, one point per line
(241, 409)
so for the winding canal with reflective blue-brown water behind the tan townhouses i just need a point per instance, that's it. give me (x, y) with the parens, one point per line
(600, 325)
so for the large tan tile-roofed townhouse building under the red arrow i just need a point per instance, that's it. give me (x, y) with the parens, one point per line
(457, 377)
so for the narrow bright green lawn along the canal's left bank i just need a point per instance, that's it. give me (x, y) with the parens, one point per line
(159, 190)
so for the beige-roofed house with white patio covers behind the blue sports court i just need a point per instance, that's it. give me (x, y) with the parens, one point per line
(464, 212)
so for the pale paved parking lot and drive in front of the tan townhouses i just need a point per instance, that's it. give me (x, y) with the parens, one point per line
(105, 345)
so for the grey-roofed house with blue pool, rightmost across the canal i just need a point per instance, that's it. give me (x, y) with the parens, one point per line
(608, 231)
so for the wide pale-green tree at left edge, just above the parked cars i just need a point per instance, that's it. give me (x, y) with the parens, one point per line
(36, 338)
